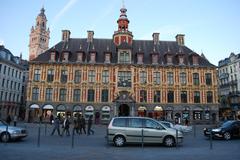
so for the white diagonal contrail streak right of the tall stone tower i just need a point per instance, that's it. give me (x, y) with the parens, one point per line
(62, 12)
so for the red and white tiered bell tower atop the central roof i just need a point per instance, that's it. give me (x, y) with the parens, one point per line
(122, 34)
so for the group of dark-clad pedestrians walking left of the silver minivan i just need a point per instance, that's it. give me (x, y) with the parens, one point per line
(79, 125)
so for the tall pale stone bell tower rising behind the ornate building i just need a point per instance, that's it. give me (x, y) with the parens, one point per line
(39, 36)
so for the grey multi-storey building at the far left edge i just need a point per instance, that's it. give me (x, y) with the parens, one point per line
(11, 82)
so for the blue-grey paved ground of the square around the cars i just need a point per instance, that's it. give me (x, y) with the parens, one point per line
(95, 147)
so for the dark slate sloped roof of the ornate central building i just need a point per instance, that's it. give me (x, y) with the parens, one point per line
(147, 47)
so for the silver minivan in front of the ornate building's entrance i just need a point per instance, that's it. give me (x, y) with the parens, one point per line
(123, 130)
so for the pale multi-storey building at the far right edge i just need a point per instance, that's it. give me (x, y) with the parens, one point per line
(229, 87)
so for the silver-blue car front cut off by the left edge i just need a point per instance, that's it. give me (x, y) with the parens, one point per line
(8, 133)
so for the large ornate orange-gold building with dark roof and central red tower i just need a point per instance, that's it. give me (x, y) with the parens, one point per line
(122, 76)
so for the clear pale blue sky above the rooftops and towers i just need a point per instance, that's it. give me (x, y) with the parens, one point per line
(211, 27)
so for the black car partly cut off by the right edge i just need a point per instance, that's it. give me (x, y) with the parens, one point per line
(228, 130)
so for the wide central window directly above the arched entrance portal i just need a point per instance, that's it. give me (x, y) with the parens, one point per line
(124, 79)
